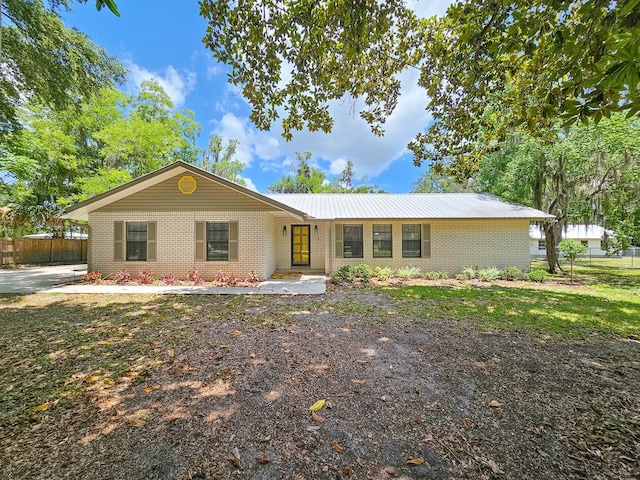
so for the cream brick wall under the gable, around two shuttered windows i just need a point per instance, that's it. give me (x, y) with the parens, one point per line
(176, 243)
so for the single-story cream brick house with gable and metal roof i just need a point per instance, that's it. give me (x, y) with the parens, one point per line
(180, 218)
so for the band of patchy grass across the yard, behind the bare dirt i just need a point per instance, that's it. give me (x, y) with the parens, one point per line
(69, 351)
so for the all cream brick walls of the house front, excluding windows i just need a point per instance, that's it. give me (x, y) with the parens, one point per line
(263, 248)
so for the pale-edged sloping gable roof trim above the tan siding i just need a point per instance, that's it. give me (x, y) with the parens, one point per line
(80, 211)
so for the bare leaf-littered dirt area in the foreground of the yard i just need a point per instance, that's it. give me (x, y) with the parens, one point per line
(405, 398)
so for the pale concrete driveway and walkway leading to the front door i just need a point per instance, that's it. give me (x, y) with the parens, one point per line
(55, 279)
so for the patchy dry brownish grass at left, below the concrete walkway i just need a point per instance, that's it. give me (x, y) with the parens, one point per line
(57, 348)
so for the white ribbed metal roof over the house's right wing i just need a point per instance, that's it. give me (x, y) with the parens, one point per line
(411, 205)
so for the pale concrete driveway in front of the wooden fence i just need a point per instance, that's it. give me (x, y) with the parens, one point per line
(38, 279)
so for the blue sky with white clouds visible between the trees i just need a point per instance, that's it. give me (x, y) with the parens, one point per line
(158, 39)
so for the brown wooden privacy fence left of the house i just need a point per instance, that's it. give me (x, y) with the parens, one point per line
(42, 251)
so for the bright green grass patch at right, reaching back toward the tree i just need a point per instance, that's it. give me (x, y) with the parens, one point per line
(602, 299)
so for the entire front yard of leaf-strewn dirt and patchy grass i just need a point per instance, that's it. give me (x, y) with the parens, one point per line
(430, 381)
